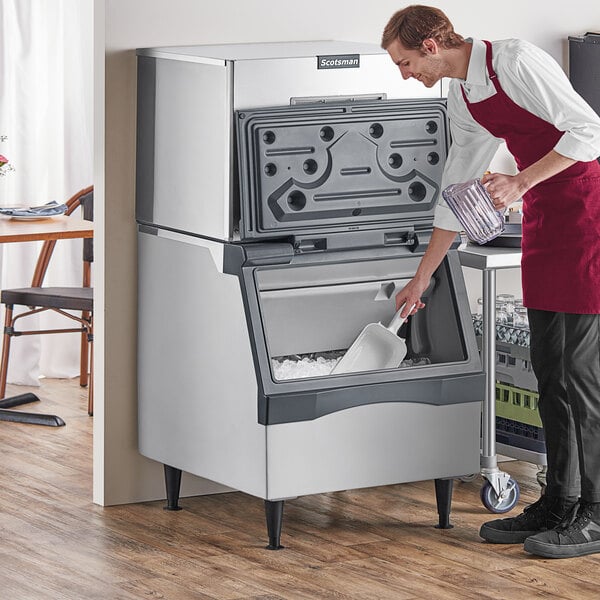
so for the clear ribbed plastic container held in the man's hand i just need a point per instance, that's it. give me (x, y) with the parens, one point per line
(473, 207)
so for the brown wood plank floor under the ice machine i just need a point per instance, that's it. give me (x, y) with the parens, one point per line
(376, 543)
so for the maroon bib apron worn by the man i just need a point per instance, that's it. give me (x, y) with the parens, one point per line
(560, 267)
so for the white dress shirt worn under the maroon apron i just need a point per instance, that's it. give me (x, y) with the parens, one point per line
(534, 81)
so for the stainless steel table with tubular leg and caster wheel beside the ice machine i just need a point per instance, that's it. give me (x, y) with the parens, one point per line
(502, 492)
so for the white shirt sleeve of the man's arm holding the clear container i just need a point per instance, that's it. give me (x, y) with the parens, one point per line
(535, 81)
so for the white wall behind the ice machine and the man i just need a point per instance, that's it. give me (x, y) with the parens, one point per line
(121, 475)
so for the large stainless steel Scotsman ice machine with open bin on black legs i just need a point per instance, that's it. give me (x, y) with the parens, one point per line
(285, 193)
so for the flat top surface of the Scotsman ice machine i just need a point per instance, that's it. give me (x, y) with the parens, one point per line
(261, 51)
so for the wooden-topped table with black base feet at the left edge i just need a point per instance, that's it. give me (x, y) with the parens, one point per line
(52, 228)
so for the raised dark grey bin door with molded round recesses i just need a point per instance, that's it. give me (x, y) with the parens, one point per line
(316, 169)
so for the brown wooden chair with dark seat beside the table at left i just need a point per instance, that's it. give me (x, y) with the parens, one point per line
(57, 299)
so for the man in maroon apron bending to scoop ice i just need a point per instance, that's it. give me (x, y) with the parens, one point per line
(514, 91)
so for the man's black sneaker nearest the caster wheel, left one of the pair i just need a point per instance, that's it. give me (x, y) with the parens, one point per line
(540, 516)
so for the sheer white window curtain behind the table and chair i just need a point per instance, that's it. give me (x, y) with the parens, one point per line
(46, 132)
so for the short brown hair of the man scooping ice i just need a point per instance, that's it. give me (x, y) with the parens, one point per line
(416, 23)
